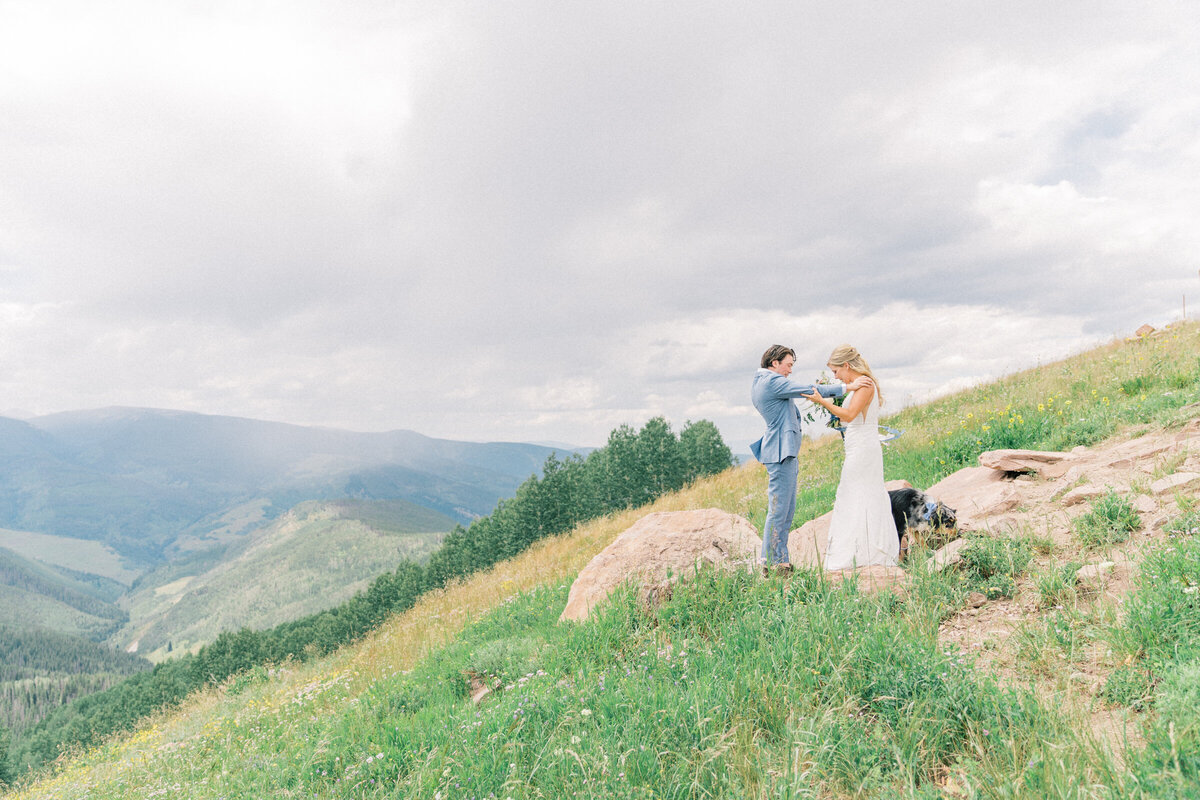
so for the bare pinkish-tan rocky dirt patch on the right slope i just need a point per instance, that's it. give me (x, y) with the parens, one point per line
(1024, 640)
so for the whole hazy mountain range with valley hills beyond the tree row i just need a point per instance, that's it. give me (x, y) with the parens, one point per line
(155, 531)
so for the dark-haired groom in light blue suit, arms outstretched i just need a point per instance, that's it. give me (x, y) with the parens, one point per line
(773, 393)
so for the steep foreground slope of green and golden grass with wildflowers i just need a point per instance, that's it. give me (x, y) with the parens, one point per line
(742, 688)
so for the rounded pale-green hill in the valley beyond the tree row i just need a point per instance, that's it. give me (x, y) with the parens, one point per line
(313, 558)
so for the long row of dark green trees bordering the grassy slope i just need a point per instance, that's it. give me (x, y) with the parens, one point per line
(632, 470)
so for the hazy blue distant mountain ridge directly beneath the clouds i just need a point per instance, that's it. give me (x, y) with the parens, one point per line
(140, 480)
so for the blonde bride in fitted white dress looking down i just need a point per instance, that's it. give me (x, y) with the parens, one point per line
(862, 532)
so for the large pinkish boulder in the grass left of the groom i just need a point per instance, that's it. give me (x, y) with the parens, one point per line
(662, 549)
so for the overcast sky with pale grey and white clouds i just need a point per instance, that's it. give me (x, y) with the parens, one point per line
(537, 221)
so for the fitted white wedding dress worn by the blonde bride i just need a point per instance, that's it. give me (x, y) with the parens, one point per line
(862, 532)
